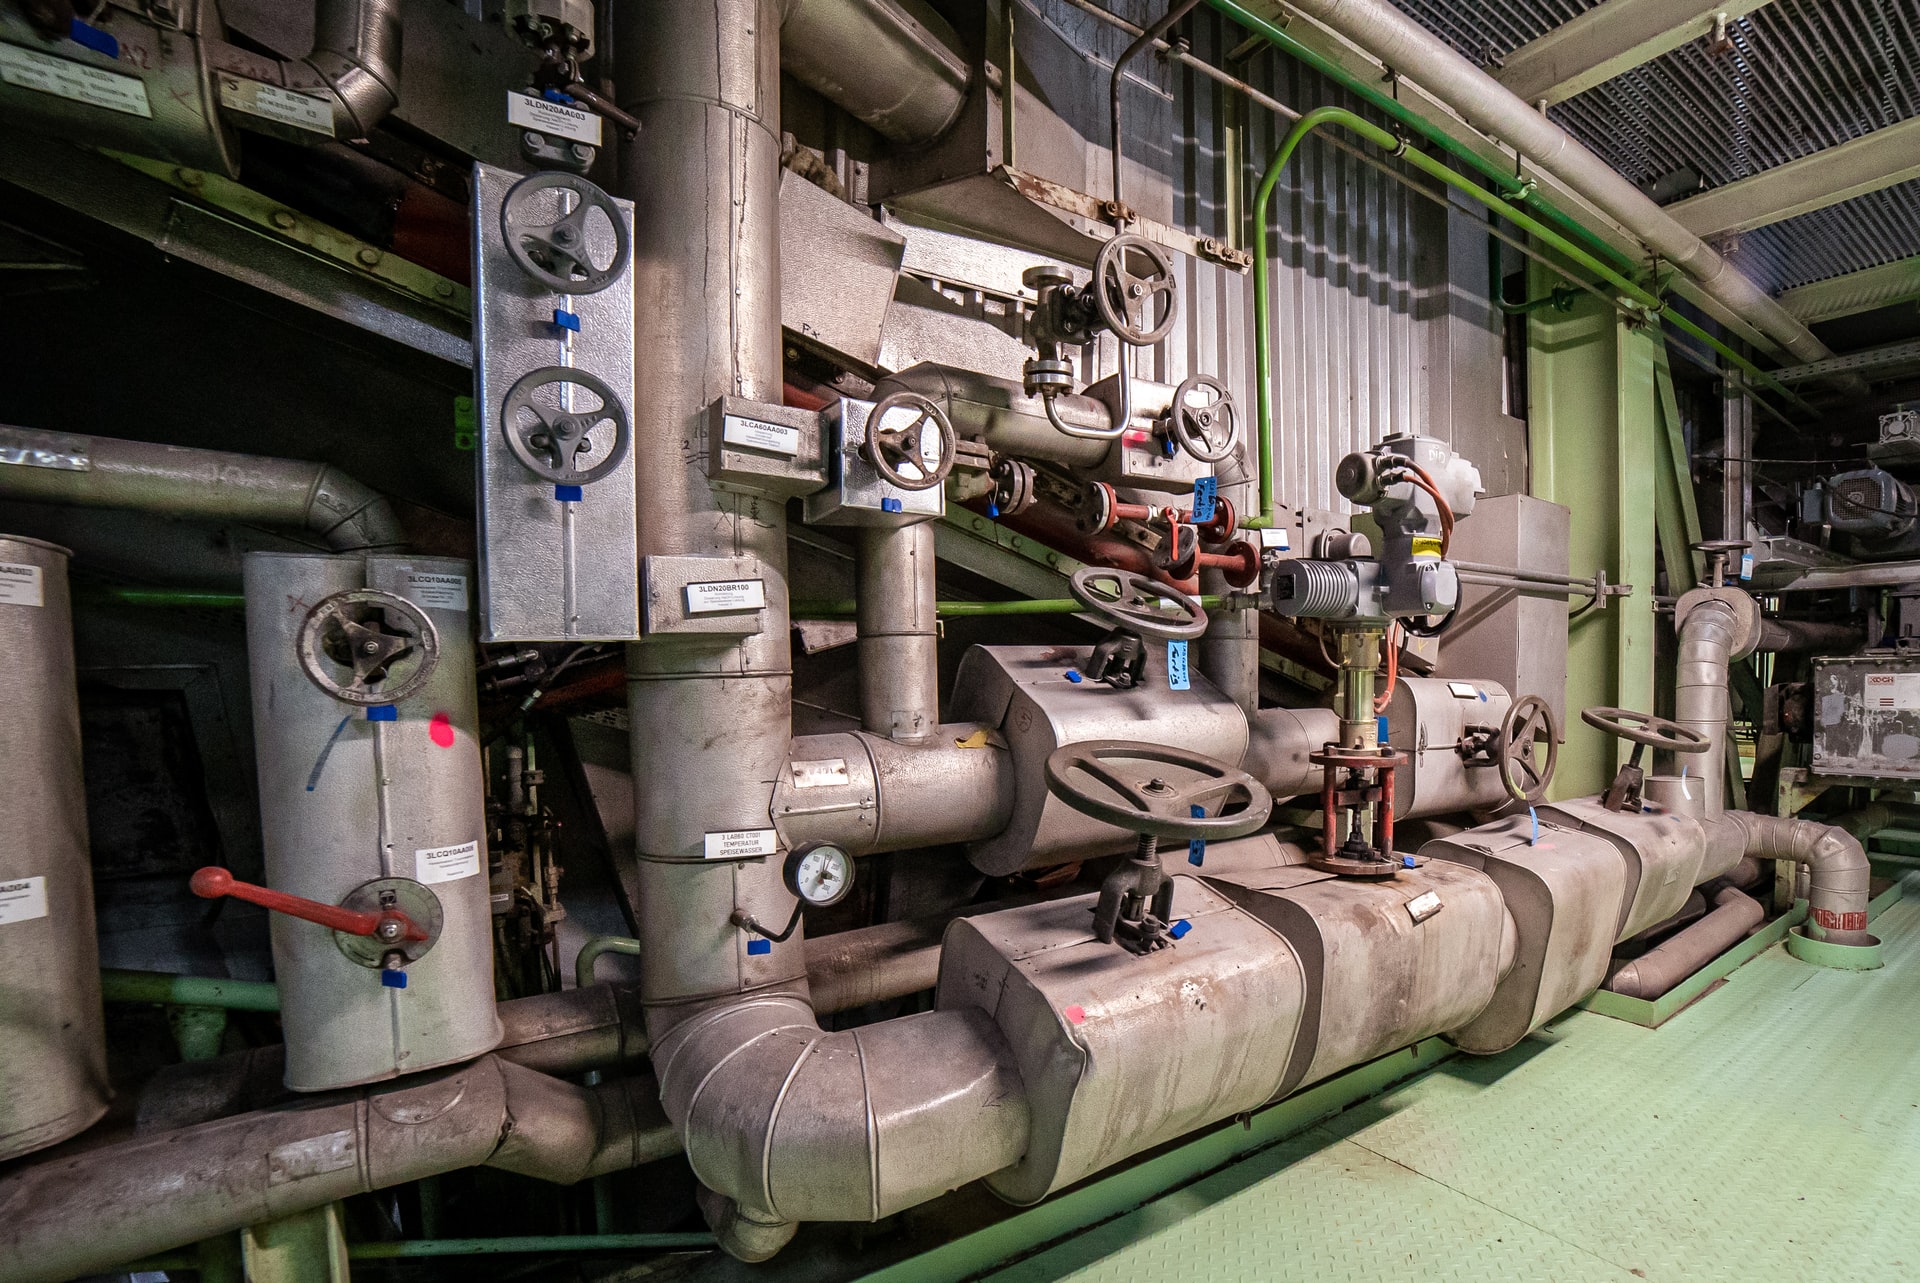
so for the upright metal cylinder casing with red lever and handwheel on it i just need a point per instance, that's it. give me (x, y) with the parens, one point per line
(366, 727)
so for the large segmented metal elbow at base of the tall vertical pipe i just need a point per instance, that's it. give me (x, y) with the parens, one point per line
(796, 1125)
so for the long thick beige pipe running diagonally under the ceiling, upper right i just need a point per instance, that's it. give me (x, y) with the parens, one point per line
(1489, 107)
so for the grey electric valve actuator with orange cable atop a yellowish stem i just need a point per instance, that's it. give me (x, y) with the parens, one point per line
(1416, 489)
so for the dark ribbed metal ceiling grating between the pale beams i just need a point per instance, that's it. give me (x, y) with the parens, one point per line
(1804, 76)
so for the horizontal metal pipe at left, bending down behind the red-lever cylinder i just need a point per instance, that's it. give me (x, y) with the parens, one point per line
(199, 485)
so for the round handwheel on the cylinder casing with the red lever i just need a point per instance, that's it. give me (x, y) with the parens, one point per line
(368, 648)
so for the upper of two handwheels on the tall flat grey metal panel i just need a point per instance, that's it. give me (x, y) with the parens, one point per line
(556, 241)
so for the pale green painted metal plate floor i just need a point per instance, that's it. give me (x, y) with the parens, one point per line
(1769, 1132)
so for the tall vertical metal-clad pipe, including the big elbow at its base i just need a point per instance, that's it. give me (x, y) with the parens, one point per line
(779, 1119)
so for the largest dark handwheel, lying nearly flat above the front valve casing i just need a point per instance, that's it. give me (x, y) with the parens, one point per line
(1159, 792)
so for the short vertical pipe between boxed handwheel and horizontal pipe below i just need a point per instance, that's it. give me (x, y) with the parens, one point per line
(900, 633)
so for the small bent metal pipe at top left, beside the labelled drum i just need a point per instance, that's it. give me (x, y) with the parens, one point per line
(354, 64)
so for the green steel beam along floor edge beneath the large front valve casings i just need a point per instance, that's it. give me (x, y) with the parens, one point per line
(1134, 1186)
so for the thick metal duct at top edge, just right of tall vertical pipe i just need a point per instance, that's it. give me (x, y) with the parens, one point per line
(894, 64)
